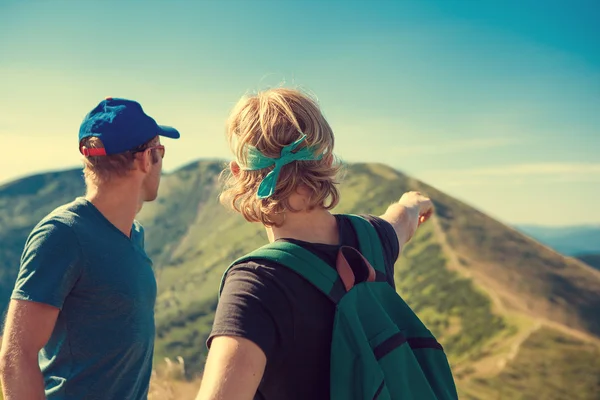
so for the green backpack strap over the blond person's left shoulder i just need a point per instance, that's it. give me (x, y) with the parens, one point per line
(301, 261)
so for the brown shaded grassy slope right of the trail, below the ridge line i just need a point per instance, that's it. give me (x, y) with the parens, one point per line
(529, 276)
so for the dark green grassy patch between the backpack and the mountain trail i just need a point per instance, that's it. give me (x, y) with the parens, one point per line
(451, 307)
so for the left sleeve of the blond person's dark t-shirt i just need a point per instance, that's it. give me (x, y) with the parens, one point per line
(253, 307)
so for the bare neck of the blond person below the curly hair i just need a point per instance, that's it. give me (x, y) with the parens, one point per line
(316, 226)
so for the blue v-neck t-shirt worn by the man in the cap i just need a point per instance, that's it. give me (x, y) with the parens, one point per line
(103, 283)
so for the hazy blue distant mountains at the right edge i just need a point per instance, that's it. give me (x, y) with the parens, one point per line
(569, 240)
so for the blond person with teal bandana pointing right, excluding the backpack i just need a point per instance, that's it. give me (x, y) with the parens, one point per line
(272, 334)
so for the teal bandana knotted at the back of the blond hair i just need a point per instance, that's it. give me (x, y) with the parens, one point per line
(256, 160)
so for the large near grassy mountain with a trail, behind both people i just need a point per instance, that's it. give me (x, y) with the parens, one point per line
(517, 319)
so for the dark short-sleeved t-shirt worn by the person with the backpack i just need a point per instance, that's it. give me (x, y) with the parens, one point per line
(290, 319)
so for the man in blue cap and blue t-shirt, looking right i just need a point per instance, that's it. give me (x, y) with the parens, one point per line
(80, 324)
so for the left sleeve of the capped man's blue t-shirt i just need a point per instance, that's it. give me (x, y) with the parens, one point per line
(50, 265)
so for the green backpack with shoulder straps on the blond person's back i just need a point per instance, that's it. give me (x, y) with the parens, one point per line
(379, 349)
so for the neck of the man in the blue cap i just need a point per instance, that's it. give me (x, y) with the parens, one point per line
(118, 201)
